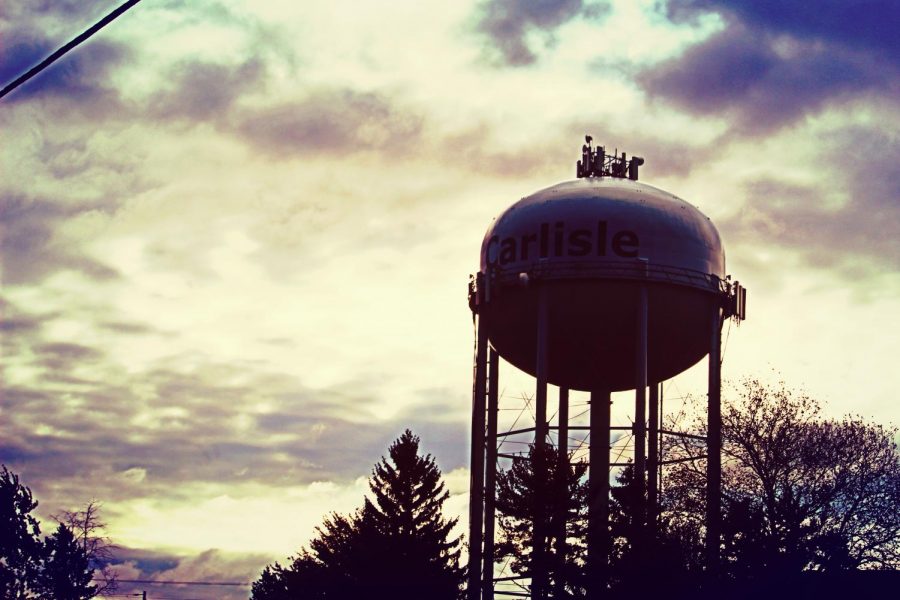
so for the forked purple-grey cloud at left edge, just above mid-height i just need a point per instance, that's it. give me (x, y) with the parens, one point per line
(29, 246)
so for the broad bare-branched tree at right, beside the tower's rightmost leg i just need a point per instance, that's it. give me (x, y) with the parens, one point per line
(800, 493)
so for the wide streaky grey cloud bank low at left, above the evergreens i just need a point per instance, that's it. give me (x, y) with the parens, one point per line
(84, 419)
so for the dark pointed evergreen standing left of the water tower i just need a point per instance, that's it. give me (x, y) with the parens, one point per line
(398, 546)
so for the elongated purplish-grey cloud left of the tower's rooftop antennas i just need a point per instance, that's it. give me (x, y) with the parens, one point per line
(332, 121)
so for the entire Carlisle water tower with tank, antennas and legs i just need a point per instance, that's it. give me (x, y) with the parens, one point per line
(600, 284)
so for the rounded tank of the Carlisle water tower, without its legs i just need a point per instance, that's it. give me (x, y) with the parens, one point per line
(590, 245)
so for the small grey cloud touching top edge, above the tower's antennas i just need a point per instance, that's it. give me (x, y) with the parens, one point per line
(507, 24)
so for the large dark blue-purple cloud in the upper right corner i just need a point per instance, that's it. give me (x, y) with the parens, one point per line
(764, 72)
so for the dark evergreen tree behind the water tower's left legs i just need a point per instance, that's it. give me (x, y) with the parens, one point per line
(559, 488)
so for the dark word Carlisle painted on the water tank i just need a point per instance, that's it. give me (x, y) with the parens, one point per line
(559, 242)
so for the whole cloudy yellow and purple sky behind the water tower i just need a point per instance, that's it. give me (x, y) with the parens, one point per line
(236, 237)
